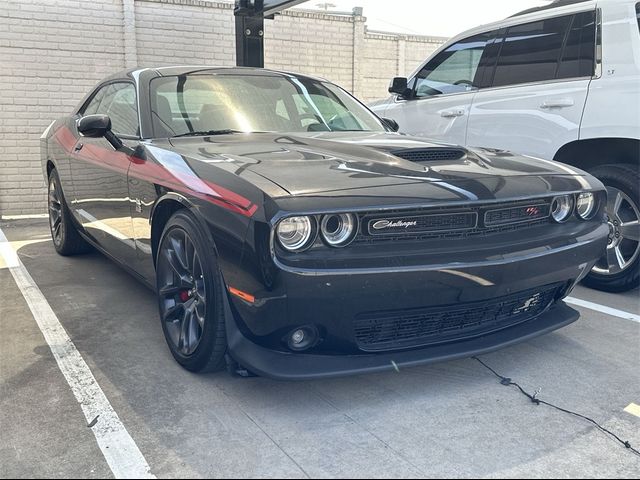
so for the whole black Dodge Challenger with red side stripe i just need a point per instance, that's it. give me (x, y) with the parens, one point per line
(291, 233)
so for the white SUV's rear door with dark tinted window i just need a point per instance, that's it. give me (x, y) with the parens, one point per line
(539, 87)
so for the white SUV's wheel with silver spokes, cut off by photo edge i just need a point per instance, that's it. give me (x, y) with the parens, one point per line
(619, 269)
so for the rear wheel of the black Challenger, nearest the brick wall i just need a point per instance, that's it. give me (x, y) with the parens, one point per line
(64, 233)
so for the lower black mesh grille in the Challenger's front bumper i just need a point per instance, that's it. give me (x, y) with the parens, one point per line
(409, 328)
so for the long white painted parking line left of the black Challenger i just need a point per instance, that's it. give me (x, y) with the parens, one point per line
(120, 451)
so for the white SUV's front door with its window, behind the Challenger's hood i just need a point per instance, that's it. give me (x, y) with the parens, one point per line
(442, 92)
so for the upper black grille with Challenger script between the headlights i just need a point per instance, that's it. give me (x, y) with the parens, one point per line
(452, 222)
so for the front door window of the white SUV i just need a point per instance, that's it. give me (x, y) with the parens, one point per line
(453, 70)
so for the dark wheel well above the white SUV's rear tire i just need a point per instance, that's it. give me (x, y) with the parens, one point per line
(594, 152)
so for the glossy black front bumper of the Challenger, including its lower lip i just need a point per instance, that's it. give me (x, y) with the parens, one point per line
(333, 300)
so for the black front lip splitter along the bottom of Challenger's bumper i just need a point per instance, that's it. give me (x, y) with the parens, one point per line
(295, 366)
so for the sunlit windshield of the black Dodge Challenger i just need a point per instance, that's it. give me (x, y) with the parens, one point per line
(226, 103)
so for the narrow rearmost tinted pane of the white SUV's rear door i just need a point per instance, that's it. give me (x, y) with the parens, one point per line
(578, 57)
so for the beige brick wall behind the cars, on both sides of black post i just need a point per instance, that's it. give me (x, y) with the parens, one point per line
(52, 52)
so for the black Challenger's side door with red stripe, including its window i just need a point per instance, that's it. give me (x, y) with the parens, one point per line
(99, 172)
